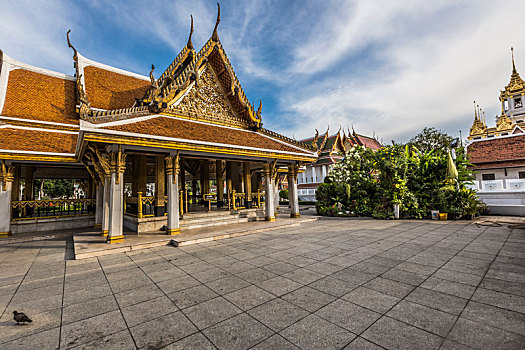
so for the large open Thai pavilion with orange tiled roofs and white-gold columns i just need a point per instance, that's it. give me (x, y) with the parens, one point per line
(147, 150)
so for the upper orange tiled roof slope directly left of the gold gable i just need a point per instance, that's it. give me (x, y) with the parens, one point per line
(110, 90)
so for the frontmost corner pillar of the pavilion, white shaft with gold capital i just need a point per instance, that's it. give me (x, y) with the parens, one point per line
(116, 197)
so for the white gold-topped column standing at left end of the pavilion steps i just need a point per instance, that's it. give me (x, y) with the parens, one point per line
(172, 182)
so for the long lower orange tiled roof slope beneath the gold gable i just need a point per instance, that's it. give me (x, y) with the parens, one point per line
(185, 129)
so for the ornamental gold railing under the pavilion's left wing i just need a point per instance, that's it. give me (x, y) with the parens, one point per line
(52, 208)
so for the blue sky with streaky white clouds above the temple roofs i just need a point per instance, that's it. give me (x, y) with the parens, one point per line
(385, 67)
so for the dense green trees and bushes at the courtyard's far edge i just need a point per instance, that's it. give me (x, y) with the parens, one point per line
(368, 183)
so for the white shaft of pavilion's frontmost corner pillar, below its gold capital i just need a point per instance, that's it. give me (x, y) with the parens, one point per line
(116, 208)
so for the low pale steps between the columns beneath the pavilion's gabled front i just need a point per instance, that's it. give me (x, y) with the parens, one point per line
(218, 218)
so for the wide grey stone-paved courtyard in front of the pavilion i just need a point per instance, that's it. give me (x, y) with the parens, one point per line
(330, 284)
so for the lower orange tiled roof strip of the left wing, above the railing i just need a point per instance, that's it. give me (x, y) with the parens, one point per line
(37, 141)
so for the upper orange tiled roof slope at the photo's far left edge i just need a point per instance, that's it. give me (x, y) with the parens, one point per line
(37, 96)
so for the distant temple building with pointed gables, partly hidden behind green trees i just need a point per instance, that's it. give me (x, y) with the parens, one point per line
(330, 149)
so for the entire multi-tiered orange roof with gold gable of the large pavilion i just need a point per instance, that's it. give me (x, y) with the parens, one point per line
(196, 104)
